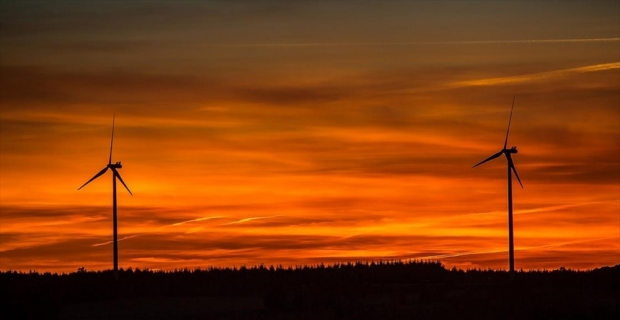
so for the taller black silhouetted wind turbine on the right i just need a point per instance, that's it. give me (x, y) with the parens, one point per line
(511, 167)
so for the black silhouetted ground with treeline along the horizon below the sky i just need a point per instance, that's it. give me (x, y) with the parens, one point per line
(384, 290)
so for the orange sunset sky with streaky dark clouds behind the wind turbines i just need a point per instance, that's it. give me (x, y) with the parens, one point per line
(301, 132)
